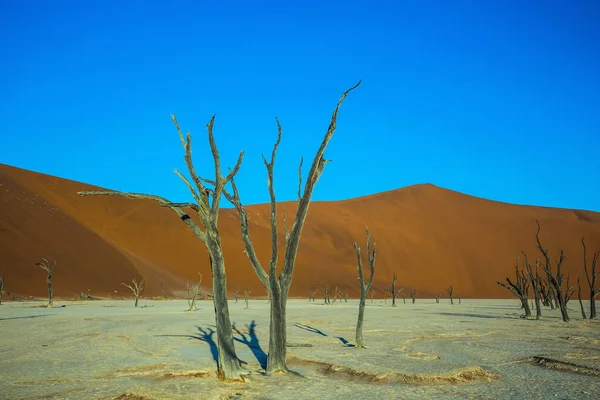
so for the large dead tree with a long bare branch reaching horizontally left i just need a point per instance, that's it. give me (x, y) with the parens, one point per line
(206, 205)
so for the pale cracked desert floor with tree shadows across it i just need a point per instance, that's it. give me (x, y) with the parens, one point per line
(479, 349)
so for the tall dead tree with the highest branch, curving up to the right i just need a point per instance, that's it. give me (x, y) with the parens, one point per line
(278, 286)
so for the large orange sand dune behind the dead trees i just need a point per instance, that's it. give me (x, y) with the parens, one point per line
(431, 237)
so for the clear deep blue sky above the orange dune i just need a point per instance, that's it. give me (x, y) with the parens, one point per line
(496, 99)
